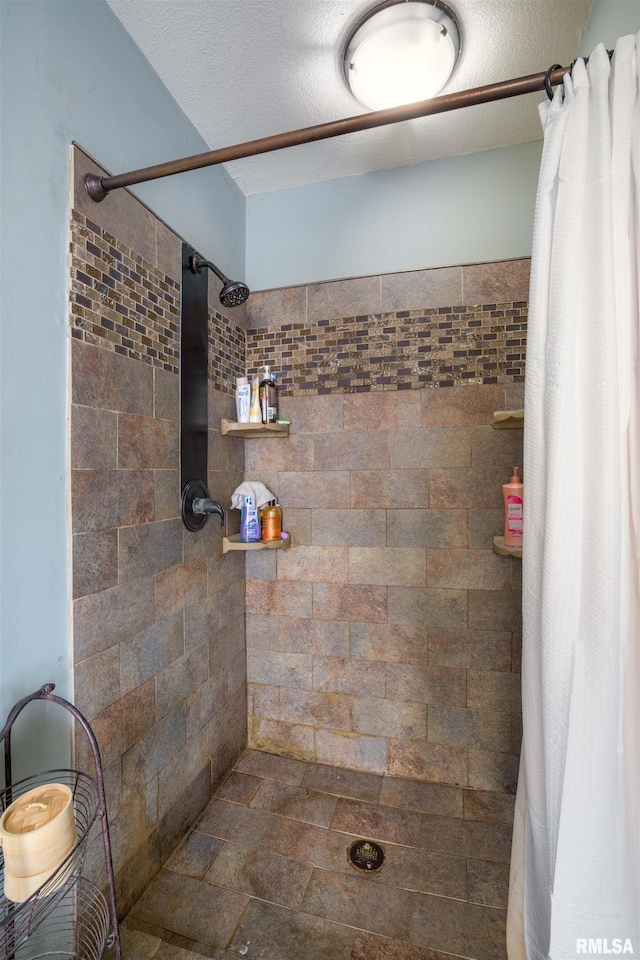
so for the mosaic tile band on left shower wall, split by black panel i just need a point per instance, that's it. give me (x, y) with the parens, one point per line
(123, 303)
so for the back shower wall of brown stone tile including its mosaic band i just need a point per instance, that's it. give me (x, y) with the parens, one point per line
(387, 638)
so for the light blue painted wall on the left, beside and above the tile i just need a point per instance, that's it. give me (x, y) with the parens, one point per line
(69, 72)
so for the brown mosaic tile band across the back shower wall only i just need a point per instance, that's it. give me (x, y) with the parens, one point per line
(408, 349)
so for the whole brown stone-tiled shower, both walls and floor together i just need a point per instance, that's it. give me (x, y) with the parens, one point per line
(382, 649)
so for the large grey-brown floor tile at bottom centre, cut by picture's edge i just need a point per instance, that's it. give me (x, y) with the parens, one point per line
(273, 932)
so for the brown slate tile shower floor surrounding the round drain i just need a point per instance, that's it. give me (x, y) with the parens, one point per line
(264, 873)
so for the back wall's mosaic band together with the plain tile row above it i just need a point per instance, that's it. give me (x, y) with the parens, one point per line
(458, 325)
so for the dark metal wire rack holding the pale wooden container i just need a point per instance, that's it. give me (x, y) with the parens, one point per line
(68, 916)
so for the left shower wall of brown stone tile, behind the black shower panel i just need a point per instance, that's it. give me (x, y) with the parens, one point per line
(158, 612)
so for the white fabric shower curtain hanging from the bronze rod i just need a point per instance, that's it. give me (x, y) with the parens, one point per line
(575, 864)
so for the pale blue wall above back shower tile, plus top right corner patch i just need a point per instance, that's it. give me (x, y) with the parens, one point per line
(460, 210)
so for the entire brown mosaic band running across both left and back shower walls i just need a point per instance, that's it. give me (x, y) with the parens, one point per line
(123, 303)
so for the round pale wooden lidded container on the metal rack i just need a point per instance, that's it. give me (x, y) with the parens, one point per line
(37, 832)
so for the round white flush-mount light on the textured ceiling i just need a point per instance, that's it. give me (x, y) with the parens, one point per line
(401, 51)
